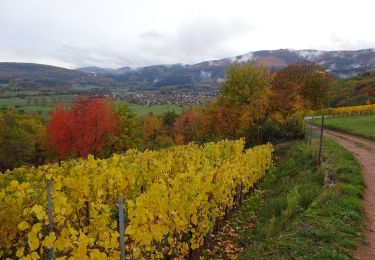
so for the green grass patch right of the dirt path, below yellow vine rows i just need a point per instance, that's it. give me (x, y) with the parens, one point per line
(361, 125)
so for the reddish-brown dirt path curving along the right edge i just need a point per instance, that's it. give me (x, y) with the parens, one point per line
(364, 152)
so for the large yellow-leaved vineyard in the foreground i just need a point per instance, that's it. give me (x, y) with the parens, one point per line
(173, 199)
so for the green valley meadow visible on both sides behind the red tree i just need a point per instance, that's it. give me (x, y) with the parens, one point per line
(36, 105)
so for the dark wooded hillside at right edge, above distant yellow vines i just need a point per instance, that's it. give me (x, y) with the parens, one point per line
(357, 90)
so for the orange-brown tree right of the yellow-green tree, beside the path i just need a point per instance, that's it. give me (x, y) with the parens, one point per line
(295, 89)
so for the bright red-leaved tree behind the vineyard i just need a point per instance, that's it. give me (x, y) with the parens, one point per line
(83, 128)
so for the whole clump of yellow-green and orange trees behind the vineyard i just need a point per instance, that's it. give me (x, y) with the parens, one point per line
(264, 106)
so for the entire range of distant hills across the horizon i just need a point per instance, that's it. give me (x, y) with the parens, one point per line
(342, 64)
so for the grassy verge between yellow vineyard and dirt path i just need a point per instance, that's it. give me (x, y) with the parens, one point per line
(292, 215)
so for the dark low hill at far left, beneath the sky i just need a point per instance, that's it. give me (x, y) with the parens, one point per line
(34, 75)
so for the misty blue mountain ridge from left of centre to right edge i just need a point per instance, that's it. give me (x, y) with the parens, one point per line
(341, 64)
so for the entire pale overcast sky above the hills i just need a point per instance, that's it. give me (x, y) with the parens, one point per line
(136, 33)
